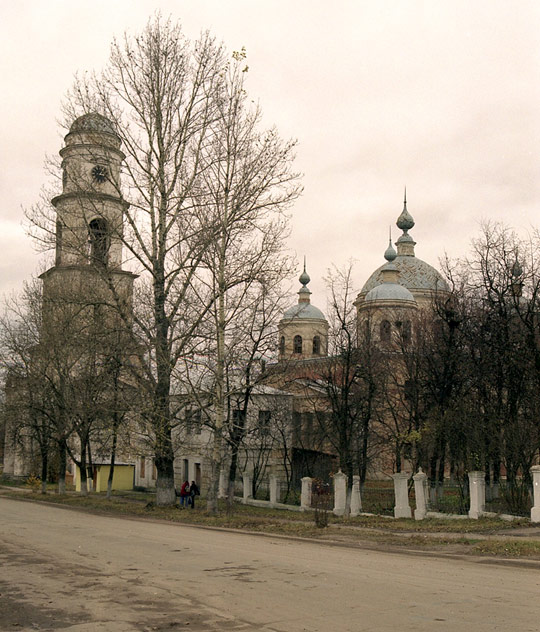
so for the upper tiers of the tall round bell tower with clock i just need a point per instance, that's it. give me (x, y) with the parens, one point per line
(89, 224)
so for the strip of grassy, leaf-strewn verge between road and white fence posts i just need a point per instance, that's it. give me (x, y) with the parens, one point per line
(488, 538)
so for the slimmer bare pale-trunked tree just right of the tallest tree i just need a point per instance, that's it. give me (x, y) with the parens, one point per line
(246, 184)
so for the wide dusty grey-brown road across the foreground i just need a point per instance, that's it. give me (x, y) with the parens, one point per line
(66, 570)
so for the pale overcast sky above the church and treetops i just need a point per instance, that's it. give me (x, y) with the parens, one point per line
(441, 96)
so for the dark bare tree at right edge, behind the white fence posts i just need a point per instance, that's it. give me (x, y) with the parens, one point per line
(503, 288)
